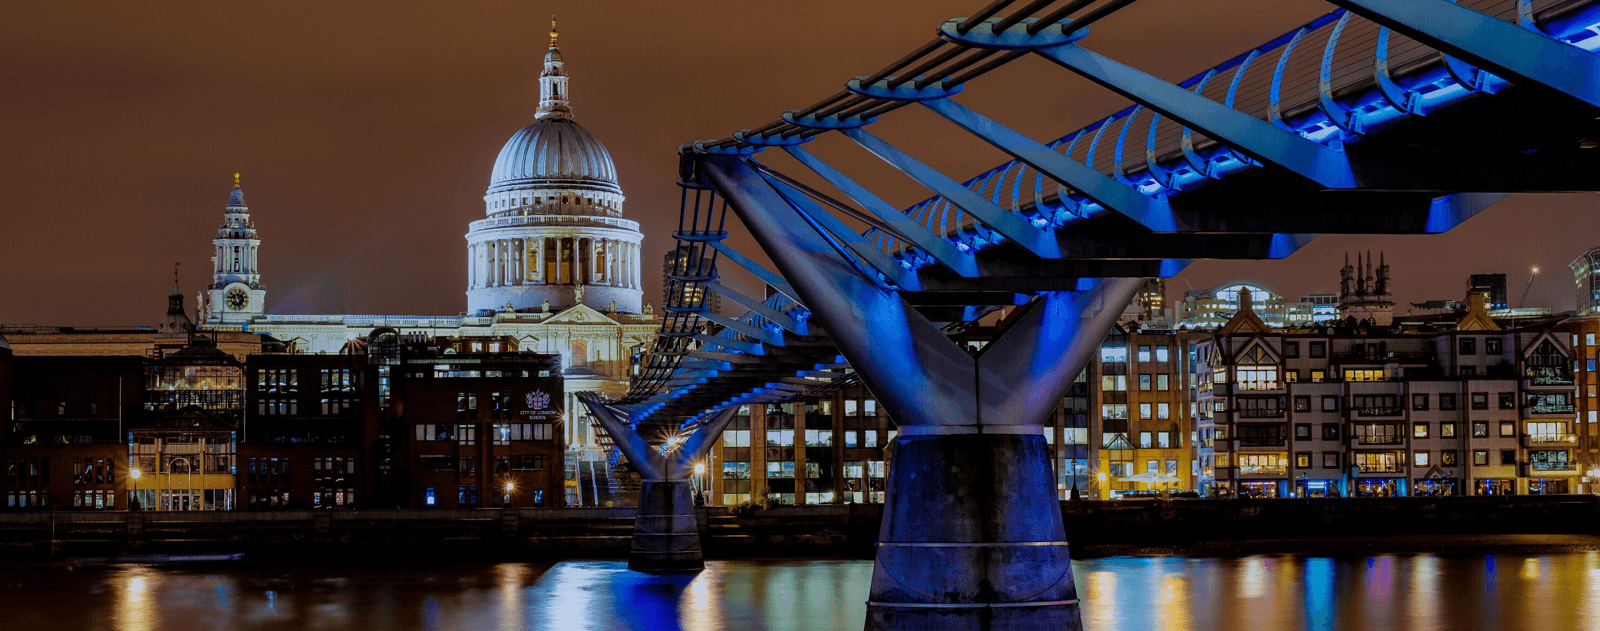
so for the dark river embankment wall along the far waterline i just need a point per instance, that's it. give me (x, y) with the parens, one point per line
(1196, 528)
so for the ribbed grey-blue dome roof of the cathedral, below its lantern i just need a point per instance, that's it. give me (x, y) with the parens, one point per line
(553, 151)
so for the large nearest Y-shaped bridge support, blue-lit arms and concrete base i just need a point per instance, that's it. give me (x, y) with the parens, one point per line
(972, 529)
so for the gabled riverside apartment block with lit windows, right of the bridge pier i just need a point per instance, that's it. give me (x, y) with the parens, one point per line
(1468, 408)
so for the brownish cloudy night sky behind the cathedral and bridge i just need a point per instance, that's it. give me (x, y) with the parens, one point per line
(366, 134)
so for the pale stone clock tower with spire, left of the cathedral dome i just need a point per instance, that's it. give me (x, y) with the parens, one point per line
(236, 294)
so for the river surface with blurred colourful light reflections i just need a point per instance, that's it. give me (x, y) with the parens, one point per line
(1417, 592)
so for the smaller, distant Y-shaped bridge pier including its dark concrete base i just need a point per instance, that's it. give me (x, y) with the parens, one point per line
(666, 528)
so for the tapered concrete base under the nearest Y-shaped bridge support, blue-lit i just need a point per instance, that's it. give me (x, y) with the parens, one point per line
(972, 536)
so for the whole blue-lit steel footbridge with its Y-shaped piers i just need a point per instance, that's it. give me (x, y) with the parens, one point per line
(1380, 118)
